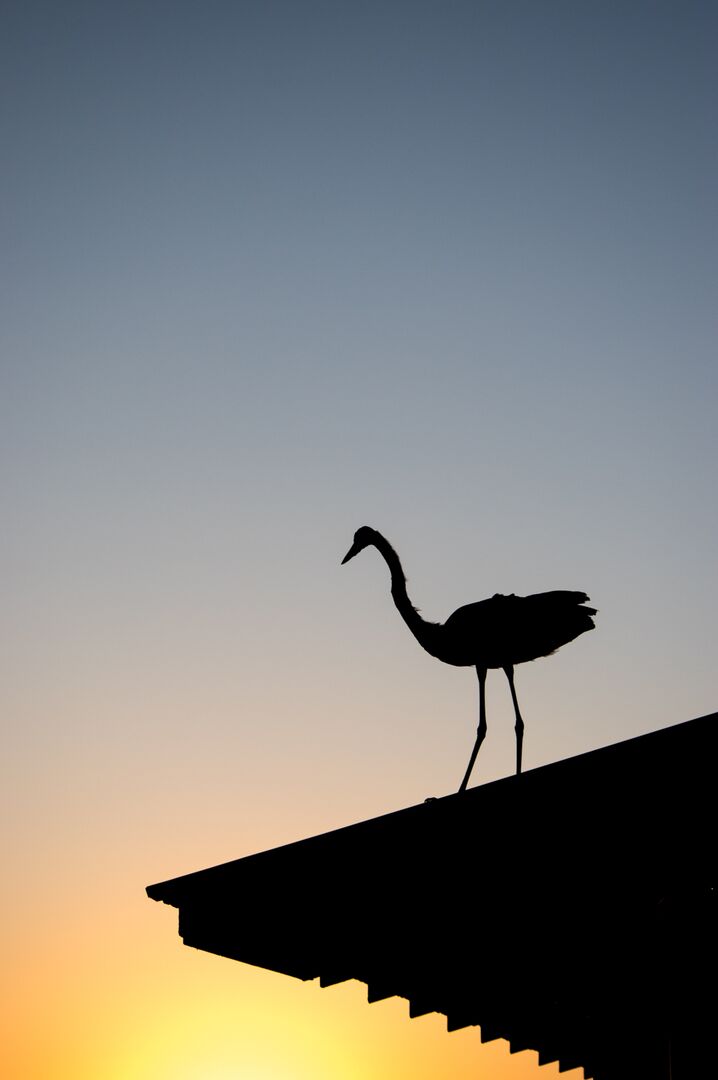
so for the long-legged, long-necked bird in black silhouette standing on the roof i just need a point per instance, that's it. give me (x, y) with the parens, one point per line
(498, 632)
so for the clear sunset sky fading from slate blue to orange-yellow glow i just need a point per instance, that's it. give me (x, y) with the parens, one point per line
(273, 272)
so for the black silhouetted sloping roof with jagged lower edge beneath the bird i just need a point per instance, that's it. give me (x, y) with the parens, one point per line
(571, 910)
